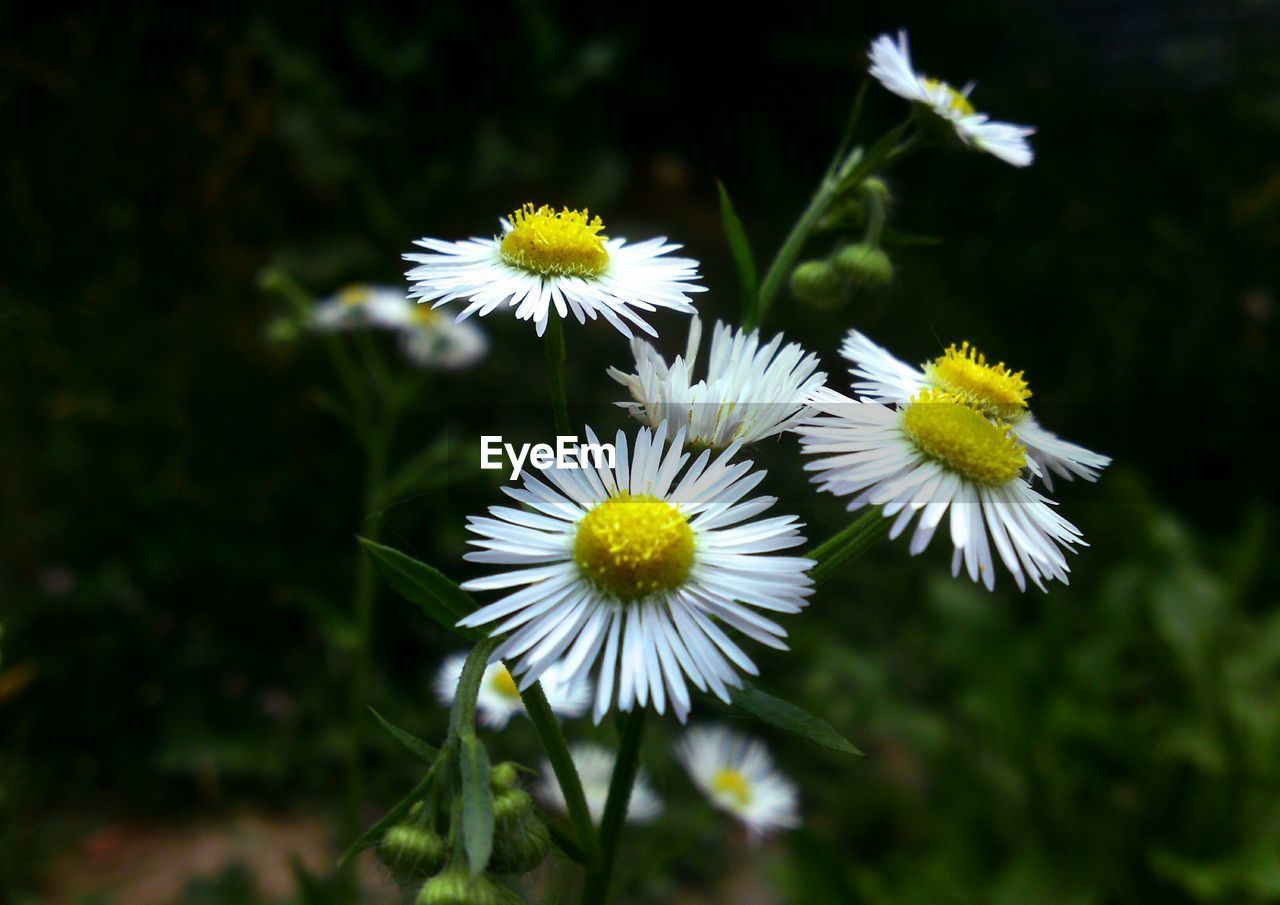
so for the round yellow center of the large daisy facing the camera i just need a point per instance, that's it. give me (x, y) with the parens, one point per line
(632, 547)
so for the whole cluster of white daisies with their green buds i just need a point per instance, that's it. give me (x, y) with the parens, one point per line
(633, 583)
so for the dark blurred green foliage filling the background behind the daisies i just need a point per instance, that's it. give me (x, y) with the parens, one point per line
(177, 508)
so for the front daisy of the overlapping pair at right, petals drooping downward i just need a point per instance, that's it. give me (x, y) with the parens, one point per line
(936, 456)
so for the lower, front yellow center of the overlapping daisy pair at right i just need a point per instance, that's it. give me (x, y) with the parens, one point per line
(962, 438)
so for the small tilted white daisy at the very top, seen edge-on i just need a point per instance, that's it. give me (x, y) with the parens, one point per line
(892, 66)
